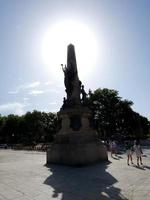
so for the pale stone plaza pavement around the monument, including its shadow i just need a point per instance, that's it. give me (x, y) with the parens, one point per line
(24, 176)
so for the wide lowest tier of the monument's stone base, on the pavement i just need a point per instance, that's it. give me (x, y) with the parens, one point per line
(76, 150)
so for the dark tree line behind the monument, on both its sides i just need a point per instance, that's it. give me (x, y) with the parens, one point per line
(112, 117)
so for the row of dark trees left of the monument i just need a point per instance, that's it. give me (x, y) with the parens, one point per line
(33, 127)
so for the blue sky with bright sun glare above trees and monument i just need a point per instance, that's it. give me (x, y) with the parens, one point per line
(120, 58)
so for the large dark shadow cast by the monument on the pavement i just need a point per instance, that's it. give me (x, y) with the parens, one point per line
(84, 183)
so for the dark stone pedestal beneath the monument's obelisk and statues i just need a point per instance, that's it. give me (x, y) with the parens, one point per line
(76, 143)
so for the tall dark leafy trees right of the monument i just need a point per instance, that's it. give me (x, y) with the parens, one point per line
(114, 117)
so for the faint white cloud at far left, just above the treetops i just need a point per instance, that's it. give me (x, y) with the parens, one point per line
(12, 108)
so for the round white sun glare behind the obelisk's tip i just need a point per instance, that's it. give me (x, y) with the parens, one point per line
(59, 36)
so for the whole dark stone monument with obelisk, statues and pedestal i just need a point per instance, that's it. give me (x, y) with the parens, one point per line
(76, 142)
